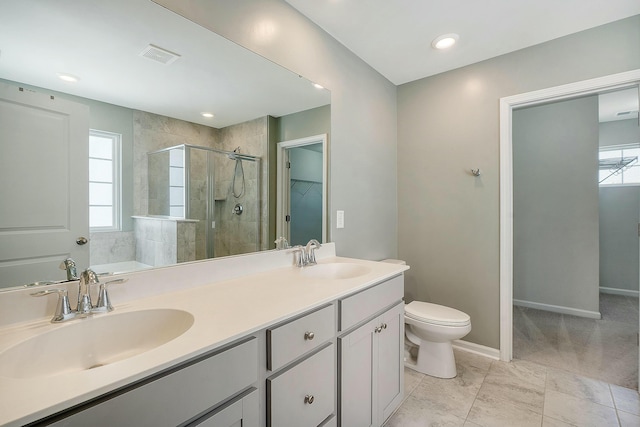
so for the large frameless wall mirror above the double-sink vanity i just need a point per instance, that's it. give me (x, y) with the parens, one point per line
(154, 181)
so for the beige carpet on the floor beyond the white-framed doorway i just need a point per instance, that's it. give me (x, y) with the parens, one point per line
(603, 349)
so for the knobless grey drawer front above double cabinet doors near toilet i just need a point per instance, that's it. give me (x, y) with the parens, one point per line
(359, 307)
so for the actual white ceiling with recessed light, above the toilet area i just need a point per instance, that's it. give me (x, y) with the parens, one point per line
(394, 36)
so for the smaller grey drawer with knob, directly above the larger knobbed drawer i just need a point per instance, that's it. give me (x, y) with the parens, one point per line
(291, 340)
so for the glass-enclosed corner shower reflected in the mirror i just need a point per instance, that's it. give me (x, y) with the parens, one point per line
(204, 186)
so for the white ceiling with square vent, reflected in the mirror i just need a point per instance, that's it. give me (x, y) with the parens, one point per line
(100, 42)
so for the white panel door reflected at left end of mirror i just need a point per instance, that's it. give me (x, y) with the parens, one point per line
(42, 218)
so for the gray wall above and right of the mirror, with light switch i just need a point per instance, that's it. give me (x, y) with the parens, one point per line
(363, 113)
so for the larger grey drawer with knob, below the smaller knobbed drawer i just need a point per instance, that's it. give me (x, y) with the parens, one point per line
(287, 392)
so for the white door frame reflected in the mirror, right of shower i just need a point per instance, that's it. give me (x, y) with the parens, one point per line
(283, 190)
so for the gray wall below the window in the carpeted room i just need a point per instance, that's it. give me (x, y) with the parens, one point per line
(619, 208)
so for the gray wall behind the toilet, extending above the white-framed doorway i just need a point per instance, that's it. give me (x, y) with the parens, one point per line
(449, 220)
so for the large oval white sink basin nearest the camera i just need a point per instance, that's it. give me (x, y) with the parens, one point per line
(93, 342)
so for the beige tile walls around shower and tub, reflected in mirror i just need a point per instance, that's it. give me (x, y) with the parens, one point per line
(234, 234)
